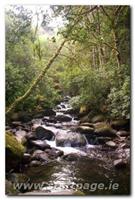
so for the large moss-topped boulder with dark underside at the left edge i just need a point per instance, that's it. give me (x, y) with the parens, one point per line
(14, 151)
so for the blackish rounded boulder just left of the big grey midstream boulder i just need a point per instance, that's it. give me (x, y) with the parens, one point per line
(43, 133)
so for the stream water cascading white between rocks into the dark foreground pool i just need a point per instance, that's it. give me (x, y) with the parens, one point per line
(88, 174)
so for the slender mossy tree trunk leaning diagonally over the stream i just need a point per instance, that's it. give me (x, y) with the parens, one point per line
(35, 82)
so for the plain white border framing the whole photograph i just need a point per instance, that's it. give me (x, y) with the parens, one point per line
(3, 4)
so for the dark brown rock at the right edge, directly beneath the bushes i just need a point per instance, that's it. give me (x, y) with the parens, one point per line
(121, 124)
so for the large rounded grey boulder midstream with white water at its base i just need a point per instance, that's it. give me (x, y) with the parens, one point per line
(70, 139)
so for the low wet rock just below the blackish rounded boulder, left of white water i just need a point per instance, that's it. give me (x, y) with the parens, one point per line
(40, 144)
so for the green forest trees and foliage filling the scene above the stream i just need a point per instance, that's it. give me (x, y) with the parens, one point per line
(92, 65)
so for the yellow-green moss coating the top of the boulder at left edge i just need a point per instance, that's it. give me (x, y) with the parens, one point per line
(16, 148)
